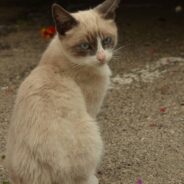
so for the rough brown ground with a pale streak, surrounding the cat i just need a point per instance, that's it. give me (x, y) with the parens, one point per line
(142, 119)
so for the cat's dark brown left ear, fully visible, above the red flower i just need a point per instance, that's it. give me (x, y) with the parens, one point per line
(64, 21)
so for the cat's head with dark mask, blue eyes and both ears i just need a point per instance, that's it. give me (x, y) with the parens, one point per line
(88, 37)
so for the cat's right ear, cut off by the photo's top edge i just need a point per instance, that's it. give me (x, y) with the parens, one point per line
(107, 8)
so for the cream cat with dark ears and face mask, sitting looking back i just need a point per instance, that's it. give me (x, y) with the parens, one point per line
(53, 136)
